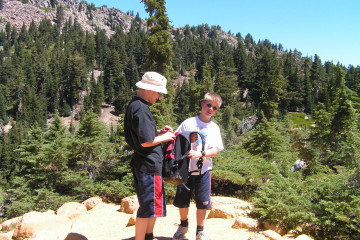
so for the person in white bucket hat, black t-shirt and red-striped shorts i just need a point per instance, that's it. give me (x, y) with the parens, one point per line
(143, 137)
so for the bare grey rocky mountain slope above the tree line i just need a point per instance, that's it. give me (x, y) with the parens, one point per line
(16, 13)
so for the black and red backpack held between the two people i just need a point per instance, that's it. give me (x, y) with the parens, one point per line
(176, 164)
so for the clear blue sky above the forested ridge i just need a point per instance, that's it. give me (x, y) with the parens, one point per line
(328, 28)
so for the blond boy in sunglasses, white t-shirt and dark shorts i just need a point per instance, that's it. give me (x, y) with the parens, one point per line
(200, 179)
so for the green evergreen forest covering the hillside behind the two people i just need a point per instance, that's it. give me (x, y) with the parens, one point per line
(300, 107)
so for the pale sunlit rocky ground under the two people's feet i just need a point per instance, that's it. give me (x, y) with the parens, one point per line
(105, 221)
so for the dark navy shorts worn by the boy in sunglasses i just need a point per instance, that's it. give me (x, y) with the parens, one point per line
(201, 185)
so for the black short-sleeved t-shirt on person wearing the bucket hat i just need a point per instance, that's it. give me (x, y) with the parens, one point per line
(140, 127)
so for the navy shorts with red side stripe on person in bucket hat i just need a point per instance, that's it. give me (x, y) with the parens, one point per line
(150, 193)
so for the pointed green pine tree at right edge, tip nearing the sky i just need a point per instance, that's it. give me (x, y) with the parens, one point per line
(335, 136)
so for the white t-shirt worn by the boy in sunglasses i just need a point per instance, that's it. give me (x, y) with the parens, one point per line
(211, 131)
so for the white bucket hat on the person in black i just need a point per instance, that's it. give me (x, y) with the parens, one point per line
(153, 81)
